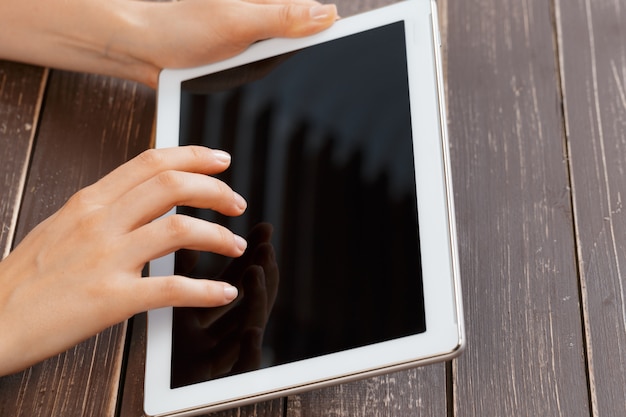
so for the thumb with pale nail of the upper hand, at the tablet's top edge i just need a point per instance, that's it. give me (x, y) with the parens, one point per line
(289, 20)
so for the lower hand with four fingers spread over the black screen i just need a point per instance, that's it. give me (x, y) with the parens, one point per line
(79, 271)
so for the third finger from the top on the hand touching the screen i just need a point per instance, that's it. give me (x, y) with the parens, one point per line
(174, 232)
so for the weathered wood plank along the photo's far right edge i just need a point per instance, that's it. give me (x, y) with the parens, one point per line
(593, 69)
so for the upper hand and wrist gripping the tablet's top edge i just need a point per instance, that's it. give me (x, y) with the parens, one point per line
(136, 39)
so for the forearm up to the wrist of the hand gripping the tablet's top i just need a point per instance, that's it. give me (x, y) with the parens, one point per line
(81, 35)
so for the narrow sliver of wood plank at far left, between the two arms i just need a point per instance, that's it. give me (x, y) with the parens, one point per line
(21, 92)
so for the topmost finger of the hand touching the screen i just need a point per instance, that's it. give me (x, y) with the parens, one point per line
(148, 164)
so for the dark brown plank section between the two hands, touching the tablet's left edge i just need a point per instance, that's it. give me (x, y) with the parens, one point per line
(90, 125)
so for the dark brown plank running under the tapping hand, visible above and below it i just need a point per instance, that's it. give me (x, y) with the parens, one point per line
(89, 125)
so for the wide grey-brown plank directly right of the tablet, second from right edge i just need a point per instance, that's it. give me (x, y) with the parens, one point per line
(518, 260)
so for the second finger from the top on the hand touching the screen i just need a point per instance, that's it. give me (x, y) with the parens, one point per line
(159, 194)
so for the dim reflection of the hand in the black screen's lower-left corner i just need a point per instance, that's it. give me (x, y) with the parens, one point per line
(209, 343)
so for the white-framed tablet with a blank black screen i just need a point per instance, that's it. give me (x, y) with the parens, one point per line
(338, 143)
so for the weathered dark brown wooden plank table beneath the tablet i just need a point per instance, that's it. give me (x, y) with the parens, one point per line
(537, 121)
